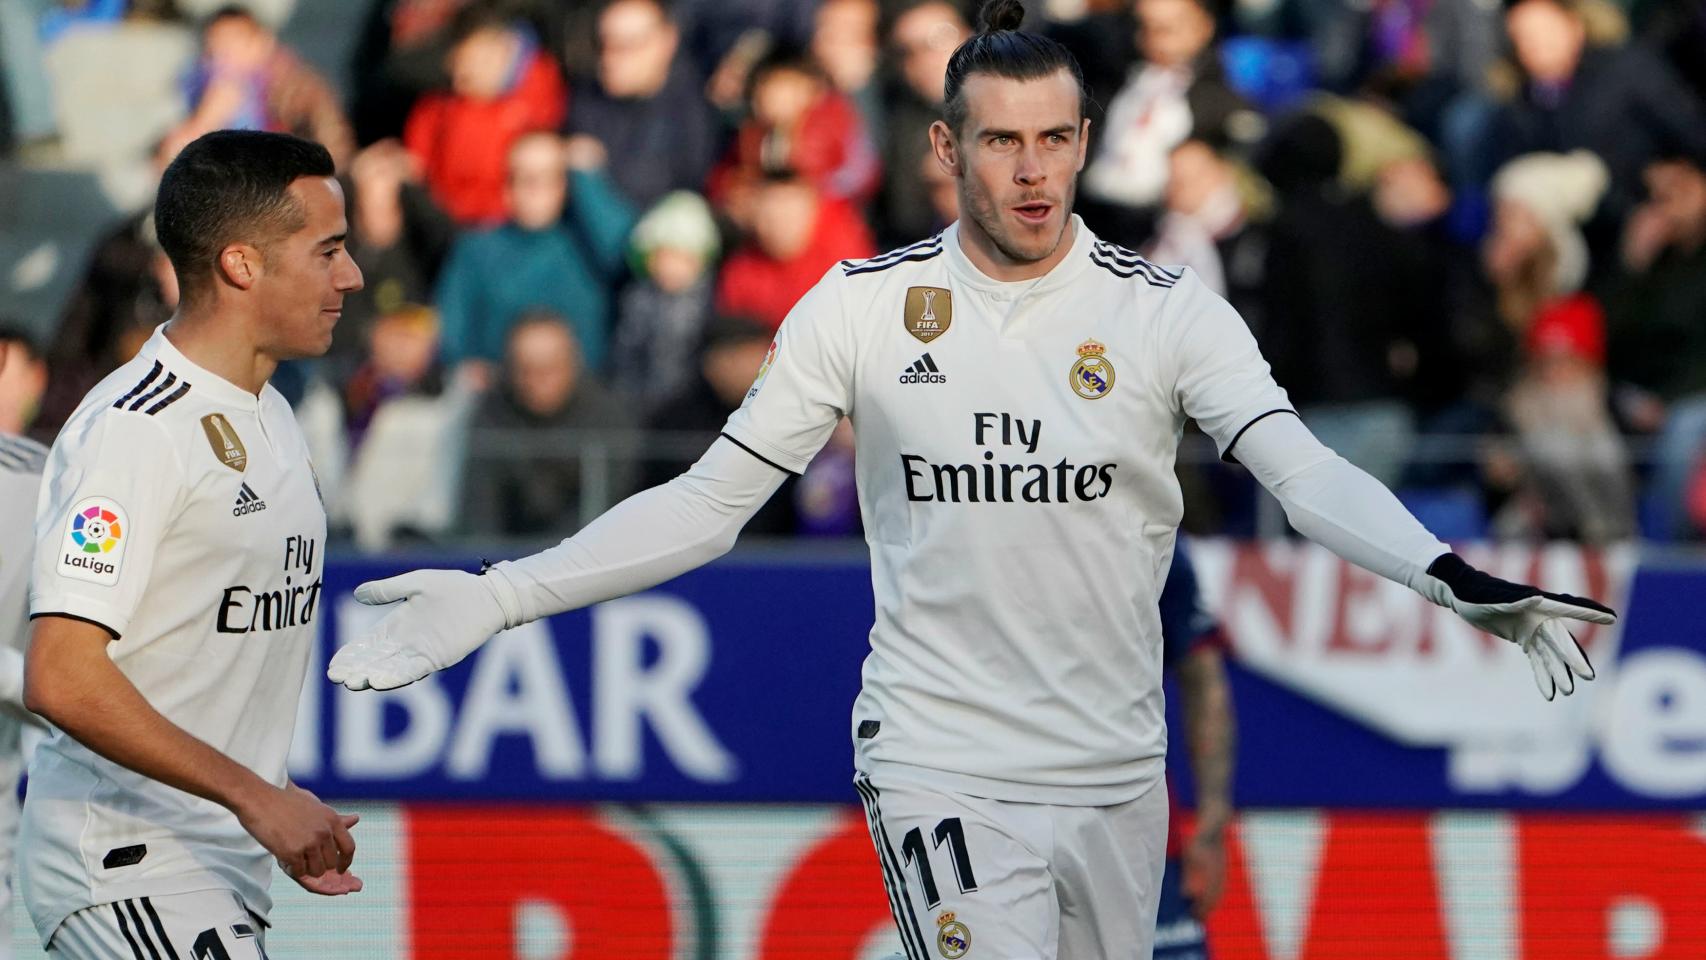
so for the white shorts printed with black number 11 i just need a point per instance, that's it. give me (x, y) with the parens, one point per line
(1002, 881)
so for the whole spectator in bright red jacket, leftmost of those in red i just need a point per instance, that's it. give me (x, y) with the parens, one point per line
(502, 86)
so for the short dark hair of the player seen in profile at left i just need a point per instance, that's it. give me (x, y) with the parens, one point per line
(226, 188)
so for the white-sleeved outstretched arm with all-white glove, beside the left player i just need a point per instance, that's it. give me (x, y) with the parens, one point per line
(641, 543)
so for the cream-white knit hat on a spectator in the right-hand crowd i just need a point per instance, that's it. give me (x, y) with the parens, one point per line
(1562, 190)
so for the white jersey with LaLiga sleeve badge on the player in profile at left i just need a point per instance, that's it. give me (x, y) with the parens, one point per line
(182, 516)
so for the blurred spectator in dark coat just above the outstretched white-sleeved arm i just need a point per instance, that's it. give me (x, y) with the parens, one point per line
(531, 482)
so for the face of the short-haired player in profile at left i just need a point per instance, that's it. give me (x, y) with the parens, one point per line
(308, 274)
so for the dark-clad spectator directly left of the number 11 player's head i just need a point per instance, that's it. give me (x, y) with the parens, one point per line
(922, 38)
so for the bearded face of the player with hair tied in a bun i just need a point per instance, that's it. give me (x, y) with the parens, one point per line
(1018, 165)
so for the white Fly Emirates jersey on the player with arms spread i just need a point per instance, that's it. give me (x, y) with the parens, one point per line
(1016, 477)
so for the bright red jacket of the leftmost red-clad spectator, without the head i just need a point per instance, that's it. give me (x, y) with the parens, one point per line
(463, 141)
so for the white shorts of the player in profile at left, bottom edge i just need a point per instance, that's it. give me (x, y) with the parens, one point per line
(206, 925)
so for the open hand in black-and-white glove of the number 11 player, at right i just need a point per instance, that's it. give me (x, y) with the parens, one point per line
(1528, 616)
